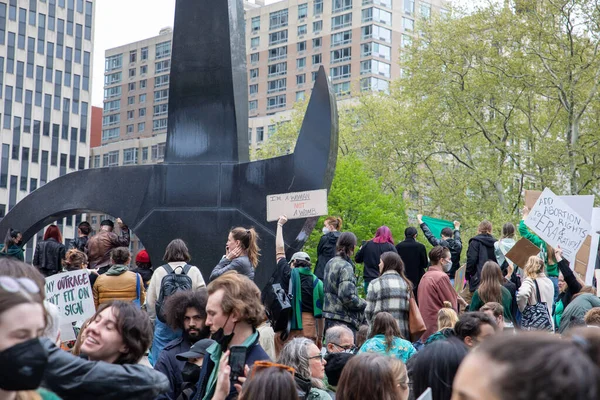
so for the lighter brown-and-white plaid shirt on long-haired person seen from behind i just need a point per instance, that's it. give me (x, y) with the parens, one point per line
(389, 293)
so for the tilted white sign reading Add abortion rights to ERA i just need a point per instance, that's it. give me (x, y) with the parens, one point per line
(557, 224)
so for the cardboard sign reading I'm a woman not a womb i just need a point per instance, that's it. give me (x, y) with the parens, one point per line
(312, 203)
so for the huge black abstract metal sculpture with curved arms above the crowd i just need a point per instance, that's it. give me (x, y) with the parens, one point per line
(206, 185)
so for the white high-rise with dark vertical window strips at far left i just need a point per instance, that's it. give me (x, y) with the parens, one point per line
(45, 68)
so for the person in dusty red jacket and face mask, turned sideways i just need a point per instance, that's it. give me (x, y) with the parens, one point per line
(435, 288)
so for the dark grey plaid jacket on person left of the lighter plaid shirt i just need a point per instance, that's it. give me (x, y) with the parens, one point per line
(341, 298)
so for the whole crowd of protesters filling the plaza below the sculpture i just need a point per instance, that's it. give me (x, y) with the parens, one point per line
(314, 332)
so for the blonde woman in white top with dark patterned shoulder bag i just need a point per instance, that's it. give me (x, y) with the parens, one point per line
(536, 288)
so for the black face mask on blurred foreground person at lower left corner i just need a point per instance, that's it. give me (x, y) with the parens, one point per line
(27, 363)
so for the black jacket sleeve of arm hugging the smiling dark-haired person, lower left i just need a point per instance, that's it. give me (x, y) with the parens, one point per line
(73, 378)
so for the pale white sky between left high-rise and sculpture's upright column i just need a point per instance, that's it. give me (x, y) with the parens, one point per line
(119, 22)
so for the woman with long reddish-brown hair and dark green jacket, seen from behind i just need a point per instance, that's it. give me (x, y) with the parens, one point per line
(491, 290)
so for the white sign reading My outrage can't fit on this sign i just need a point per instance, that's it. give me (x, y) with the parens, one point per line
(71, 292)
